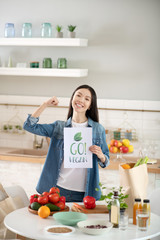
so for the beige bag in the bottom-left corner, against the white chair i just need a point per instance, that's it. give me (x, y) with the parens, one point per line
(7, 205)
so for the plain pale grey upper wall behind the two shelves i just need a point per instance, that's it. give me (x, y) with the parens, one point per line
(123, 53)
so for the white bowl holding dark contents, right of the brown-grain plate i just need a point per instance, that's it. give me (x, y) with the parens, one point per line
(95, 231)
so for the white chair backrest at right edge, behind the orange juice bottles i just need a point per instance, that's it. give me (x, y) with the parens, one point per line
(154, 201)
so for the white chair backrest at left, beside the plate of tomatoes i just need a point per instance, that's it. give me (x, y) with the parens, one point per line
(17, 190)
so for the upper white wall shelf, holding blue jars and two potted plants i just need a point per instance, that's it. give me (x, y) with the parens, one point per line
(39, 42)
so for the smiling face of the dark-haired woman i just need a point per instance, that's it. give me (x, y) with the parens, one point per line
(81, 101)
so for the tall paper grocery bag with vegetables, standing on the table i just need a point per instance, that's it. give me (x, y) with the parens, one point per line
(135, 182)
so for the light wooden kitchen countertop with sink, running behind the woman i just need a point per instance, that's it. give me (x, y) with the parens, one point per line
(39, 156)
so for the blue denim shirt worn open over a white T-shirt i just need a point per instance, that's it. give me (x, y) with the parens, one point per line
(55, 155)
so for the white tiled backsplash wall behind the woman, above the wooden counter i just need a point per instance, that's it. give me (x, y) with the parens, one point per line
(146, 124)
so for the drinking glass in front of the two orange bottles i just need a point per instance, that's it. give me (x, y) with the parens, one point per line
(142, 217)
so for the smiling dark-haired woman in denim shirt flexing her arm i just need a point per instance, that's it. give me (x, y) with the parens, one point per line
(74, 183)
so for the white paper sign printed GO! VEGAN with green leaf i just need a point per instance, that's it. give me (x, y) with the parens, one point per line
(76, 147)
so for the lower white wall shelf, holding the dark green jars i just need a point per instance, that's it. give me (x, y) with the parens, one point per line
(43, 72)
